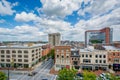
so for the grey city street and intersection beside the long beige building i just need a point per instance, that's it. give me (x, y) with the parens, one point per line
(42, 73)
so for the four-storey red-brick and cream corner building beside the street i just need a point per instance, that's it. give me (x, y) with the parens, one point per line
(62, 57)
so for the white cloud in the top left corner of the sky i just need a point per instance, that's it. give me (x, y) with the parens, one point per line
(6, 8)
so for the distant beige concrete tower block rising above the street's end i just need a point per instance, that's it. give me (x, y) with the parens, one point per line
(54, 39)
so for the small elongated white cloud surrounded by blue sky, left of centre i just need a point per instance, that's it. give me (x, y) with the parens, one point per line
(25, 17)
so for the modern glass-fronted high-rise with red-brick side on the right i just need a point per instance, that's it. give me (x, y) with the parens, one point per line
(102, 36)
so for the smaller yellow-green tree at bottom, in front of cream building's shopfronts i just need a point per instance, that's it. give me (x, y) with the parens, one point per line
(87, 75)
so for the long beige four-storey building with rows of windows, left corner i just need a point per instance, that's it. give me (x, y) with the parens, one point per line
(22, 56)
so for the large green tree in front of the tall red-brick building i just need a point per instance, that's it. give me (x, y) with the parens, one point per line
(67, 74)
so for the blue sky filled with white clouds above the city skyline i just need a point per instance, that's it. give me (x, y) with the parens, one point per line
(33, 20)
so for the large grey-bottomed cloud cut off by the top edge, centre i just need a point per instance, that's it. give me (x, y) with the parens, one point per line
(59, 8)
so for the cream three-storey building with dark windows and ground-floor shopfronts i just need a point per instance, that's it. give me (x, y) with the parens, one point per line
(93, 60)
